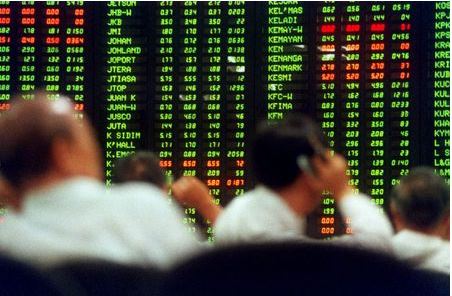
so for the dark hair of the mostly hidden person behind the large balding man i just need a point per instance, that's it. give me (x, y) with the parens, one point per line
(140, 166)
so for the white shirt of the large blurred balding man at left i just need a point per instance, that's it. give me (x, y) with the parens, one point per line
(76, 219)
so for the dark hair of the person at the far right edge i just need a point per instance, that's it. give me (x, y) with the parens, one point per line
(421, 198)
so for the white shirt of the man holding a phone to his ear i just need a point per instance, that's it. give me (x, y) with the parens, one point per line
(261, 215)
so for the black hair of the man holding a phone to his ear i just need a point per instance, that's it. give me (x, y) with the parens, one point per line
(277, 146)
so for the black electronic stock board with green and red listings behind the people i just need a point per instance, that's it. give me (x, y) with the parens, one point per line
(190, 81)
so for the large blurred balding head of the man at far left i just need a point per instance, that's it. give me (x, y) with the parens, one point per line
(36, 134)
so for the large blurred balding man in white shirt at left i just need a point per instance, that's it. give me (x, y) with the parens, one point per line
(63, 211)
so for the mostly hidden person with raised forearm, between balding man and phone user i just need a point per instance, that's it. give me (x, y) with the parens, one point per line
(144, 166)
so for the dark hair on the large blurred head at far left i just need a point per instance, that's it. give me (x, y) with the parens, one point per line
(28, 131)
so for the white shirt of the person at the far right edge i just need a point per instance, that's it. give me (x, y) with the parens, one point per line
(422, 250)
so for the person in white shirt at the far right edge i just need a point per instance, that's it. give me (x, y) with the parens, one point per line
(421, 216)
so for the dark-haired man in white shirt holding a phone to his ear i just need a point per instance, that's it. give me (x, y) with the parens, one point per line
(293, 167)
